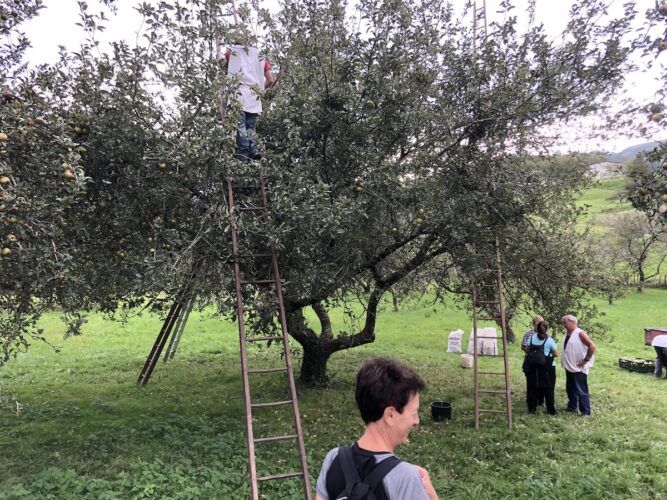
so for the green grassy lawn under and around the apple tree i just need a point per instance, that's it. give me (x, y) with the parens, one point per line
(85, 430)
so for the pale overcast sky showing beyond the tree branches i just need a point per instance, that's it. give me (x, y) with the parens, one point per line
(56, 26)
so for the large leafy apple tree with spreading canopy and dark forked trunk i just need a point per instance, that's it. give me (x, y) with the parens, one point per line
(391, 149)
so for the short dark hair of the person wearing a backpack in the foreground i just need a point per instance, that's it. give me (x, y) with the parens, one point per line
(384, 382)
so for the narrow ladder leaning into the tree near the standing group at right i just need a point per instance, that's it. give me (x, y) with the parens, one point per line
(492, 286)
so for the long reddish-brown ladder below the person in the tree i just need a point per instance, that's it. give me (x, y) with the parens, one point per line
(259, 208)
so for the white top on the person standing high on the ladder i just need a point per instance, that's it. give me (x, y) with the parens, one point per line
(249, 66)
